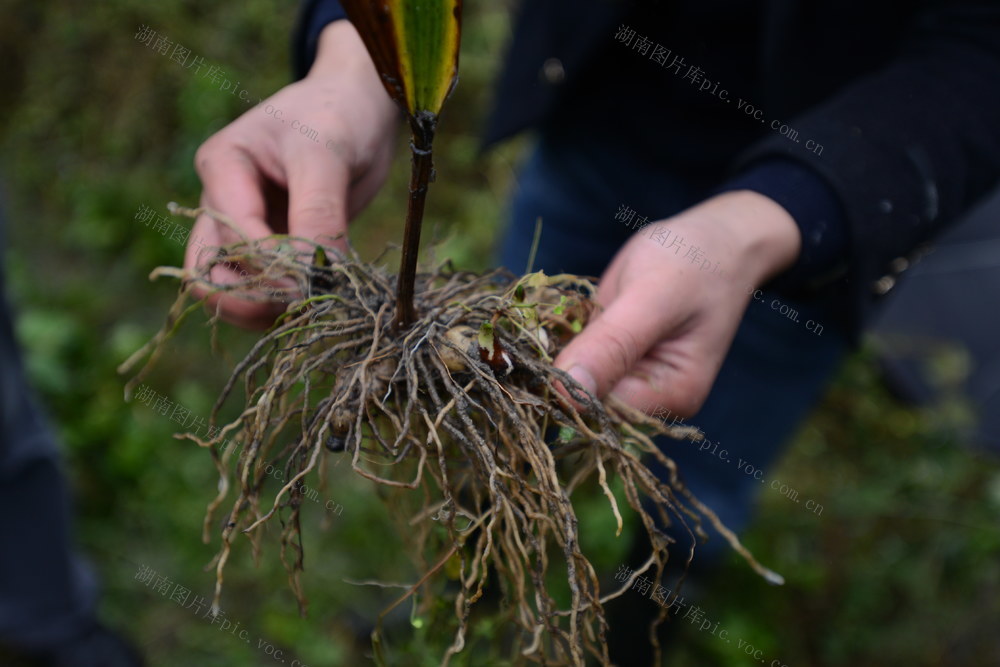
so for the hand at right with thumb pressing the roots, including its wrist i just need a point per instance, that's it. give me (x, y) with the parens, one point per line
(666, 325)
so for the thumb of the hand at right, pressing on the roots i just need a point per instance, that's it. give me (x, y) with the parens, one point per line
(610, 345)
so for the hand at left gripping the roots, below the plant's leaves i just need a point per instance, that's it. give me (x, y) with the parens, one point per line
(269, 175)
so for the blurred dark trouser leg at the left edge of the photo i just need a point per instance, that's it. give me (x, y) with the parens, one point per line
(47, 594)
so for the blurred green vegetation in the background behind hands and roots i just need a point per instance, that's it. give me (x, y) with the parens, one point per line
(900, 568)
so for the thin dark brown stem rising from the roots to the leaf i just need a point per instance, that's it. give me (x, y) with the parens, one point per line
(421, 140)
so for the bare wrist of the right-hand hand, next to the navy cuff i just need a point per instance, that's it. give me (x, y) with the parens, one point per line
(766, 240)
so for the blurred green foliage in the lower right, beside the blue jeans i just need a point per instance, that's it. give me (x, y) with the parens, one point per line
(899, 567)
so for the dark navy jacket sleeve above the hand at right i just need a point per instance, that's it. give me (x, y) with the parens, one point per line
(905, 150)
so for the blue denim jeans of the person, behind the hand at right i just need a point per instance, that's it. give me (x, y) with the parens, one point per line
(776, 369)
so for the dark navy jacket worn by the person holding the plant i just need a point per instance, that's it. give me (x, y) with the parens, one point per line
(875, 123)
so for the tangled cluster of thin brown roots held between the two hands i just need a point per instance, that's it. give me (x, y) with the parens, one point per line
(464, 410)
